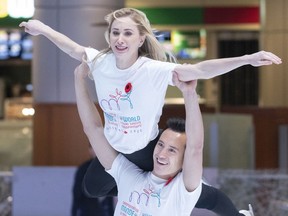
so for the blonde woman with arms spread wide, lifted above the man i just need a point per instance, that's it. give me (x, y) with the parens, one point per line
(131, 78)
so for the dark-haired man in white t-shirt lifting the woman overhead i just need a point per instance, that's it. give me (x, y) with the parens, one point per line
(174, 185)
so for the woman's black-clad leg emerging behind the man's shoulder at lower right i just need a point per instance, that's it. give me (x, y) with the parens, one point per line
(216, 201)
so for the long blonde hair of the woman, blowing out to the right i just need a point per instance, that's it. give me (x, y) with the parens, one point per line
(151, 47)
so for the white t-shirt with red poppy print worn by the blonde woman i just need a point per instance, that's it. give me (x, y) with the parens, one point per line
(132, 99)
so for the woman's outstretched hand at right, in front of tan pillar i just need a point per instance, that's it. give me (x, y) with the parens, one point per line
(263, 58)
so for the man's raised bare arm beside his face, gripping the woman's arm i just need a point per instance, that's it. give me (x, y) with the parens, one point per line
(193, 155)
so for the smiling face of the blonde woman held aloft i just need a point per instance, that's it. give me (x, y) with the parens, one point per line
(125, 41)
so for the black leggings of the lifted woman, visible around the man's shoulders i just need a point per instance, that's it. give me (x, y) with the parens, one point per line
(97, 182)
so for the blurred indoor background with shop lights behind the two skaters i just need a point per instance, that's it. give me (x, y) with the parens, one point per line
(245, 112)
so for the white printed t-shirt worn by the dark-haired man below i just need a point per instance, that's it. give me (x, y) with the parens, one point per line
(143, 194)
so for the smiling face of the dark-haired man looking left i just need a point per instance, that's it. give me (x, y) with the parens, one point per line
(168, 154)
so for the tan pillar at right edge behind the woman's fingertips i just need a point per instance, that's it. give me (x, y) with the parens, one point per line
(274, 79)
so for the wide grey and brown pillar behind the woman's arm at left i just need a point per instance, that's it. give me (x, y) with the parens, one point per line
(58, 134)
